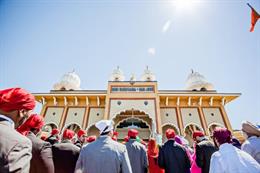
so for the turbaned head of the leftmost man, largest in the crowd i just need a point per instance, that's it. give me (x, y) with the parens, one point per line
(17, 104)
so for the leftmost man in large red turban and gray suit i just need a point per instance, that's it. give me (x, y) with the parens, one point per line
(16, 105)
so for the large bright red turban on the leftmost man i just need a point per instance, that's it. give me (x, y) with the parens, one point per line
(16, 99)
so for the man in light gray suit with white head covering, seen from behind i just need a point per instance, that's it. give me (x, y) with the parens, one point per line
(104, 155)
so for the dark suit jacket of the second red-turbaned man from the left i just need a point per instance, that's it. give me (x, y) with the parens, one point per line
(42, 161)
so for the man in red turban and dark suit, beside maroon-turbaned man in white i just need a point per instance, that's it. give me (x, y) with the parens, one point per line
(204, 150)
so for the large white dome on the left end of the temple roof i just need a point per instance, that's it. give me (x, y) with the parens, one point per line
(69, 81)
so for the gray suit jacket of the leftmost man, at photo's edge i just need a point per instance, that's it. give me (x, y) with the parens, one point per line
(15, 150)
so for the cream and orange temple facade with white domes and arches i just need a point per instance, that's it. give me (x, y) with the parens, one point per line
(136, 104)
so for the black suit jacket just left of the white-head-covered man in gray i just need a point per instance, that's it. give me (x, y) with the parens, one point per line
(65, 156)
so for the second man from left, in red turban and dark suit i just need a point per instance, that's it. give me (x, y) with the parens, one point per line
(42, 161)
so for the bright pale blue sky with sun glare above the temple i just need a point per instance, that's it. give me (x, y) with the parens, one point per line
(41, 40)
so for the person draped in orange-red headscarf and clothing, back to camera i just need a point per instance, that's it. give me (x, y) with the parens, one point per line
(152, 153)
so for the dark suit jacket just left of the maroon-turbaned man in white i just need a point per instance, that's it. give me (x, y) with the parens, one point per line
(204, 150)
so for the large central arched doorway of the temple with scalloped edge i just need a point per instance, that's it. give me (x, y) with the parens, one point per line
(133, 119)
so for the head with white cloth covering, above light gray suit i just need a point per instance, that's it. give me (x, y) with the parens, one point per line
(105, 127)
